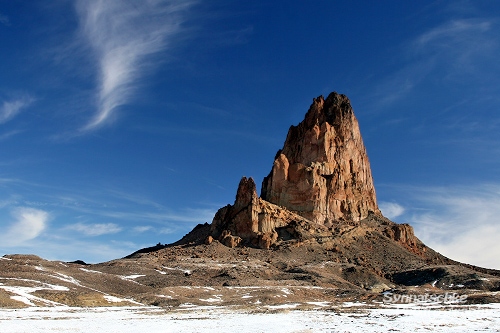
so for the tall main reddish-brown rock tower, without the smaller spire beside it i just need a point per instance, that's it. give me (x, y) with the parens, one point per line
(323, 173)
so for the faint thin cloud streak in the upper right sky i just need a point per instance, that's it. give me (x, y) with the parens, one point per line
(454, 48)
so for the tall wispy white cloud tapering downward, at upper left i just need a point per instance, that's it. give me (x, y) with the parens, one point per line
(123, 35)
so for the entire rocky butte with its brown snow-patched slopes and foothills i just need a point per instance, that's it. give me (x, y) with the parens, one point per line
(317, 218)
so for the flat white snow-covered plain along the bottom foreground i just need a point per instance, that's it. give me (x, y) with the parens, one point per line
(480, 318)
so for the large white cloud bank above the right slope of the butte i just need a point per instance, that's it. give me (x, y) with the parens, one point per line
(462, 223)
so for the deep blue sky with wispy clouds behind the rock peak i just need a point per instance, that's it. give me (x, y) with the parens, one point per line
(124, 123)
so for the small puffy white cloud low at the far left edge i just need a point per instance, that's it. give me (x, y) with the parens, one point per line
(29, 224)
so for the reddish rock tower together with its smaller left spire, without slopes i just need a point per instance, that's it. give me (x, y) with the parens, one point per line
(321, 177)
